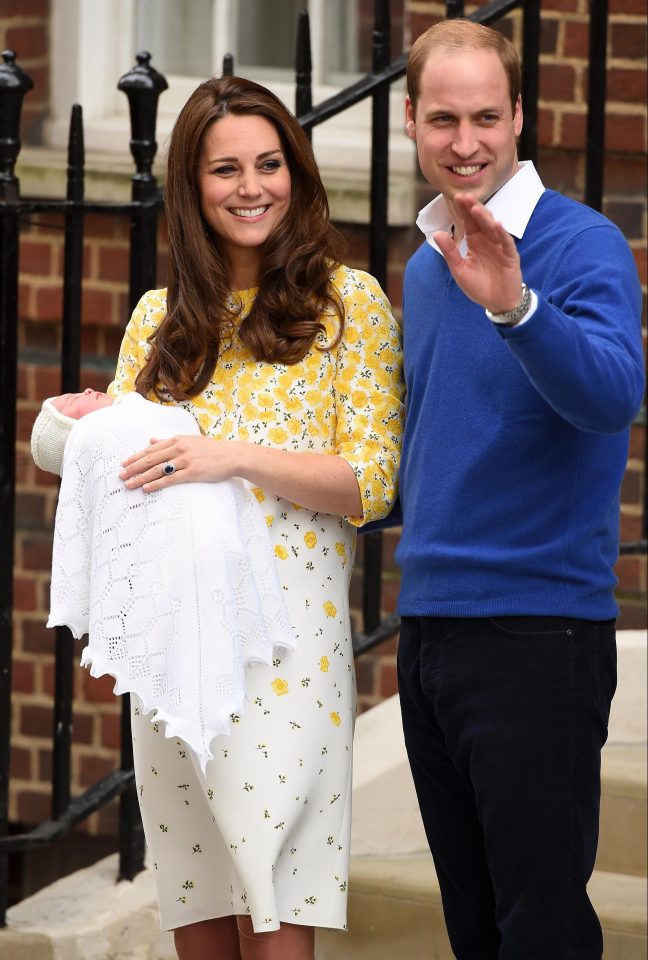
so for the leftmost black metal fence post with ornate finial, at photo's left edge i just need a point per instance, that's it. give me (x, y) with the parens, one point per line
(14, 84)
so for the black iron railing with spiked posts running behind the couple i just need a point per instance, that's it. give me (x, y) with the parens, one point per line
(143, 86)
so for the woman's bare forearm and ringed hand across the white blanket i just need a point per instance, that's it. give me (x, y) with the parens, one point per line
(321, 482)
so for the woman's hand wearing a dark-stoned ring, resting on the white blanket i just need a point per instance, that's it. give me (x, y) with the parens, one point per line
(194, 459)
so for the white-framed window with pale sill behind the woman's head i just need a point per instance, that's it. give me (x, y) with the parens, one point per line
(94, 43)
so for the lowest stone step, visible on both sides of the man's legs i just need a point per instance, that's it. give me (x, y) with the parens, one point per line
(395, 912)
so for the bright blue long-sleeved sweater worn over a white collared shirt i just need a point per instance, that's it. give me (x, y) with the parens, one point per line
(516, 439)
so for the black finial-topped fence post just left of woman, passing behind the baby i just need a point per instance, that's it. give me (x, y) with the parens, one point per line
(143, 86)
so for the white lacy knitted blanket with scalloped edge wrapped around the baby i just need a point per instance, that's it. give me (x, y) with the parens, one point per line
(177, 590)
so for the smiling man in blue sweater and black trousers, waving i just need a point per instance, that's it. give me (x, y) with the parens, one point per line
(523, 366)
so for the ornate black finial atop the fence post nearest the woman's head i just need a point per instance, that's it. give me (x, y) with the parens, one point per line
(143, 86)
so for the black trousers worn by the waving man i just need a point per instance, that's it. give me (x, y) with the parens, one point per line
(504, 722)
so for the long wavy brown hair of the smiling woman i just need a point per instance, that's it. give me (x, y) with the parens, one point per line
(297, 261)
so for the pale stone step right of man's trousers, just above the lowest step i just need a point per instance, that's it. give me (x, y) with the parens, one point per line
(624, 812)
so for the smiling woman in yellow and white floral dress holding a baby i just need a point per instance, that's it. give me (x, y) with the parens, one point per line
(290, 363)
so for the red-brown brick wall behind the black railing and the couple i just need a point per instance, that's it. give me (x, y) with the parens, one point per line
(24, 26)
